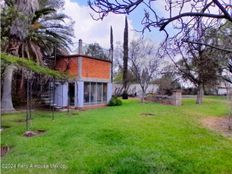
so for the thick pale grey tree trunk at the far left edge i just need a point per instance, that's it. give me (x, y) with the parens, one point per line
(7, 105)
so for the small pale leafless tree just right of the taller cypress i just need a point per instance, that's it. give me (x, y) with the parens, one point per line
(144, 63)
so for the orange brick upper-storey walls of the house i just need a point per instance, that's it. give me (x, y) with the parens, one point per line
(91, 68)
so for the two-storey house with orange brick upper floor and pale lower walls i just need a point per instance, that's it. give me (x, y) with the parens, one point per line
(89, 82)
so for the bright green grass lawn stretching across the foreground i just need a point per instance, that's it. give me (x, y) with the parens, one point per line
(121, 140)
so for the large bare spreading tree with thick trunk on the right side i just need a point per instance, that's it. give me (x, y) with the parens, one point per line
(198, 63)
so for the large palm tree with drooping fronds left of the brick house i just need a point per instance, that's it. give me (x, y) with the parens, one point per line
(33, 34)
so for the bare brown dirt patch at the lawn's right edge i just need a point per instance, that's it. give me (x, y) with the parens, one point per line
(219, 124)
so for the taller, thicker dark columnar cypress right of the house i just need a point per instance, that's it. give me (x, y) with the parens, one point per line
(125, 61)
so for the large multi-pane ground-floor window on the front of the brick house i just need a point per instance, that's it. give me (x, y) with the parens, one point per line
(95, 92)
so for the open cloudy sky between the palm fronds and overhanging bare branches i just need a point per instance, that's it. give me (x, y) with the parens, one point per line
(91, 31)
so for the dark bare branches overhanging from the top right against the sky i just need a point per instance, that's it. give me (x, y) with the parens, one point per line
(159, 14)
